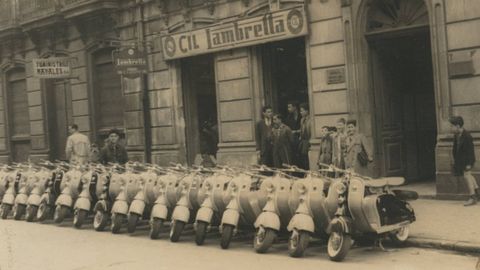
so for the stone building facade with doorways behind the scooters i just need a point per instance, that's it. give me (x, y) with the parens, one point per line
(401, 68)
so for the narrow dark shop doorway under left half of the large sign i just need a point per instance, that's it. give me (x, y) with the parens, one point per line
(201, 130)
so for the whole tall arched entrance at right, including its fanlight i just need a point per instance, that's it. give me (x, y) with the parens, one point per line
(401, 78)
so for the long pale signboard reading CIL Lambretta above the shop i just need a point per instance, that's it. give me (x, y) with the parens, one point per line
(277, 25)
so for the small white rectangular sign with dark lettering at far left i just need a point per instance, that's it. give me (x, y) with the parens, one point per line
(52, 68)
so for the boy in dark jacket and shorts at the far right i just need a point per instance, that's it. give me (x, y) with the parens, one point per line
(463, 153)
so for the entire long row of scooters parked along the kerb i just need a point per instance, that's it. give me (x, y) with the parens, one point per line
(269, 202)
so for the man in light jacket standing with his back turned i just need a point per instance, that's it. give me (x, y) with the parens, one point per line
(77, 149)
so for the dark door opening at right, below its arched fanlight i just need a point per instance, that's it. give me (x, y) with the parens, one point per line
(404, 99)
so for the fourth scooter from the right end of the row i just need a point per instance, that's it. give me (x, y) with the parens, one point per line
(246, 198)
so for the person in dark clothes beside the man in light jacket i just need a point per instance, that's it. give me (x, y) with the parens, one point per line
(113, 151)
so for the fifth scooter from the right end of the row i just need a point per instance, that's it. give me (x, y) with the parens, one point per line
(214, 204)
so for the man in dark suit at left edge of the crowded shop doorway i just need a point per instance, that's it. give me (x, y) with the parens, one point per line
(263, 137)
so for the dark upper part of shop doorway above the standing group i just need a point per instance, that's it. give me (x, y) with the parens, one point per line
(285, 73)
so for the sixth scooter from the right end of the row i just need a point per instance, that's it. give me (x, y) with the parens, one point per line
(188, 204)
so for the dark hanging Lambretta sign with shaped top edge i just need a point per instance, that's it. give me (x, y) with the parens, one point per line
(130, 62)
